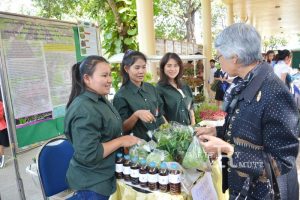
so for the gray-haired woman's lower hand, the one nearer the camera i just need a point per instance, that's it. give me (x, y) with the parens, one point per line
(214, 146)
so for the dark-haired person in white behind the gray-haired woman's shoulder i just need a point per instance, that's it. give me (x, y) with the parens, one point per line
(282, 67)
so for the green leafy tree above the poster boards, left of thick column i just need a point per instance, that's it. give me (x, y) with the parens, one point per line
(117, 19)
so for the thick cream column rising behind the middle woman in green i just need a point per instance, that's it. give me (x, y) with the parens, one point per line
(146, 34)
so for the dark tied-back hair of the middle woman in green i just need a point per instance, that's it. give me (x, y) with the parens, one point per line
(130, 57)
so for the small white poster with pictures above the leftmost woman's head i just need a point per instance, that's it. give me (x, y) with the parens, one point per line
(87, 39)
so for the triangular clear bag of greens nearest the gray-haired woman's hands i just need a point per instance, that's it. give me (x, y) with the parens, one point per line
(195, 157)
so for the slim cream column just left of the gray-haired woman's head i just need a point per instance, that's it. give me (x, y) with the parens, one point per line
(207, 41)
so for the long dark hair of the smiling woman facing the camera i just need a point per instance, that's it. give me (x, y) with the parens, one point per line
(163, 79)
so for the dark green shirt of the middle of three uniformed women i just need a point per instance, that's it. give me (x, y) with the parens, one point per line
(131, 98)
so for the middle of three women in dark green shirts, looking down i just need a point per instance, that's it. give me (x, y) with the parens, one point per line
(137, 101)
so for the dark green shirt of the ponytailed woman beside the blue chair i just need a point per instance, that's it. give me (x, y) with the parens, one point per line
(90, 121)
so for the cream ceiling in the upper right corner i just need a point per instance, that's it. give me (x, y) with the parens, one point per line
(270, 17)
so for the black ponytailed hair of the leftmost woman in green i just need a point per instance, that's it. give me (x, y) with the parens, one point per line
(86, 66)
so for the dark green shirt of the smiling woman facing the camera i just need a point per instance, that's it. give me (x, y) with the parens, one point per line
(176, 106)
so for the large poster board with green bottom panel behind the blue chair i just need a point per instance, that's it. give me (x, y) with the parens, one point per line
(37, 55)
